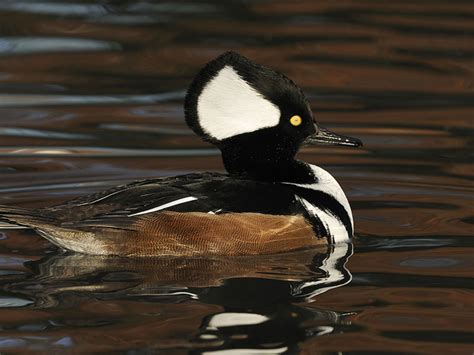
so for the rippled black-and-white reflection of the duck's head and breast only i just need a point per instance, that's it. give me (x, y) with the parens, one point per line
(258, 317)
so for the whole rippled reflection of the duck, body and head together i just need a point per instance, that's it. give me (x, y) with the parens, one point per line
(244, 303)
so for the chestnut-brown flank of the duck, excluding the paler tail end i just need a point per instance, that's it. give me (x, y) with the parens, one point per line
(194, 233)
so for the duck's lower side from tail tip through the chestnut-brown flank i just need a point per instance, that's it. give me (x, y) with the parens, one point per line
(175, 233)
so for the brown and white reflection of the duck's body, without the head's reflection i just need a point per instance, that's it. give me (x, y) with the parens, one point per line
(296, 276)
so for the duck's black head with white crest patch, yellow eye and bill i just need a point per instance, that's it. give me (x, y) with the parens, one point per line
(254, 115)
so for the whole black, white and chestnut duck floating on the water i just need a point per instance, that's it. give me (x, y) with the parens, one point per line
(267, 202)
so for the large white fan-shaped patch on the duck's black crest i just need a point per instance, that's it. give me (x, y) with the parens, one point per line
(229, 106)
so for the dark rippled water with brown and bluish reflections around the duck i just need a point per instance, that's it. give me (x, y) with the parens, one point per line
(91, 96)
